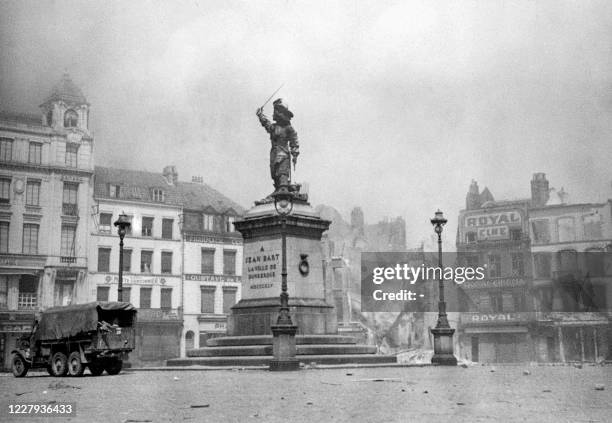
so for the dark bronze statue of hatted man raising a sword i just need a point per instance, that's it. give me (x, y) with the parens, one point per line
(285, 146)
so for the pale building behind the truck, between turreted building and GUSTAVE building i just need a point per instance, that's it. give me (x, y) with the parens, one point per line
(152, 256)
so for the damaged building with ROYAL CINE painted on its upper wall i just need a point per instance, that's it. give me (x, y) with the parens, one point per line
(495, 313)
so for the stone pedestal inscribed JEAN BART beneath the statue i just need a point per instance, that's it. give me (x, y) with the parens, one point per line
(258, 308)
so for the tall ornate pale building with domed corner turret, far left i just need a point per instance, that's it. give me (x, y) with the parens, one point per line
(46, 169)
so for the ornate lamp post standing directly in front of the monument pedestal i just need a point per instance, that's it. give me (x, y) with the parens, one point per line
(284, 331)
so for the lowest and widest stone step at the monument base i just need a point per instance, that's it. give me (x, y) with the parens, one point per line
(239, 361)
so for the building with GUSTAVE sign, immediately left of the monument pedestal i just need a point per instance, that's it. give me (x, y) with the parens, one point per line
(212, 262)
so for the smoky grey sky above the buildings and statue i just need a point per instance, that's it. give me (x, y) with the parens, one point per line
(398, 104)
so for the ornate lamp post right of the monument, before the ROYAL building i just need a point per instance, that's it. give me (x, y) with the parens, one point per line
(443, 333)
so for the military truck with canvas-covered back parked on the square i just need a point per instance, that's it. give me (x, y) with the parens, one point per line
(65, 340)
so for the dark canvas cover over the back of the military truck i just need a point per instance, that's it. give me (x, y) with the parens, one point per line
(69, 321)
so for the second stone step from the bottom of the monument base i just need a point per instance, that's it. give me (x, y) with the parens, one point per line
(304, 349)
